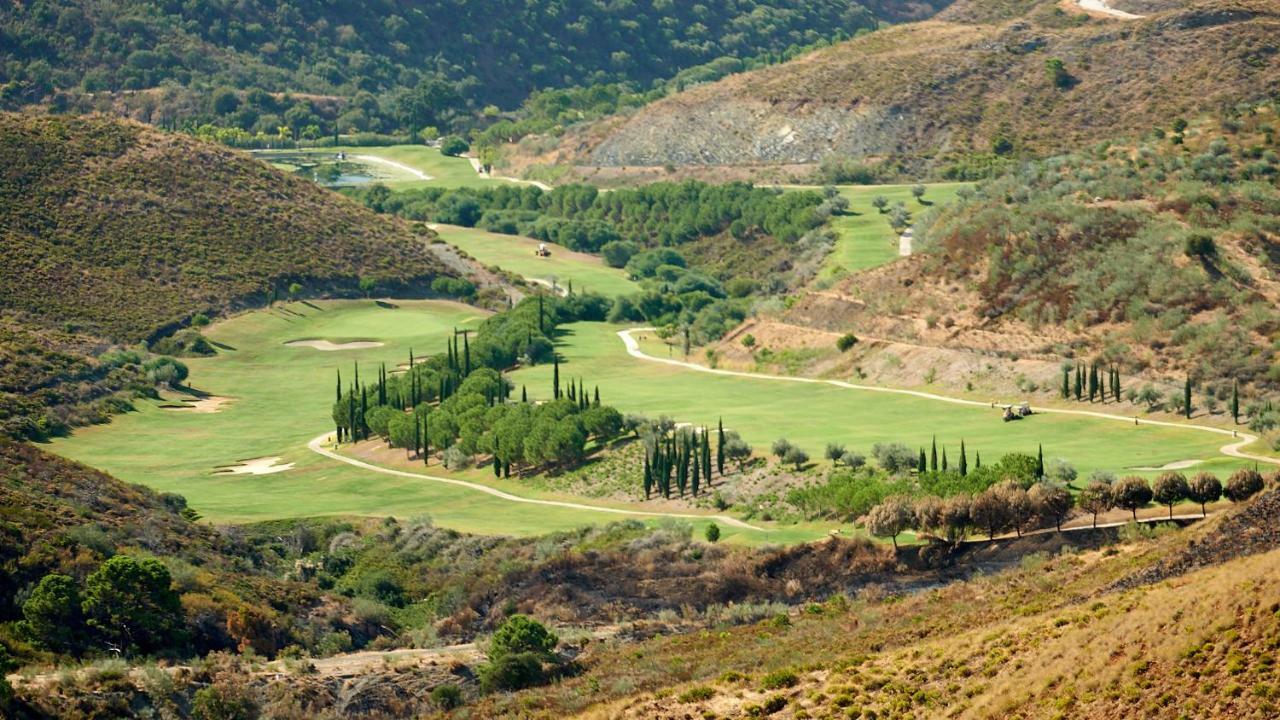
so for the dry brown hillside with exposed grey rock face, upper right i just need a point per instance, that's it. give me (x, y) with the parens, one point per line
(982, 79)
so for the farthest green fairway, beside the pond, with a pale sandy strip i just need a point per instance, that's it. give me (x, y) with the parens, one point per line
(444, 171)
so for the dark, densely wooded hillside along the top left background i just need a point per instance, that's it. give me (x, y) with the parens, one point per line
(382, 66)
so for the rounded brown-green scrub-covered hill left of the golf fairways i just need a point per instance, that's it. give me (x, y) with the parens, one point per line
(115, 234)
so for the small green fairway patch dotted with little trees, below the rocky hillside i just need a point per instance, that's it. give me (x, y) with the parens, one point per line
(866, 239)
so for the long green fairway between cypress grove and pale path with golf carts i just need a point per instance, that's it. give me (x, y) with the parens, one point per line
(812, 416)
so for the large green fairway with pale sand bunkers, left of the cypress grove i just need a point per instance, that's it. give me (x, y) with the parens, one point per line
(281, 398)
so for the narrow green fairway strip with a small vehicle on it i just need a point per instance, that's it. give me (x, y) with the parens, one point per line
(518, 256)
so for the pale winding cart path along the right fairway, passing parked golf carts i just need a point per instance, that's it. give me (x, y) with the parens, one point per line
(1231, 449)
